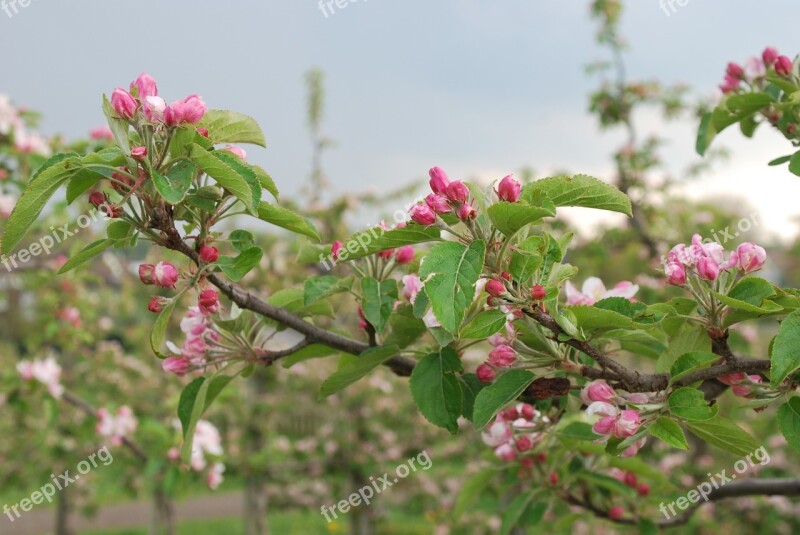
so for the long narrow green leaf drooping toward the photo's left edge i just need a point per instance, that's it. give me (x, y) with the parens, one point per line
(44, 183)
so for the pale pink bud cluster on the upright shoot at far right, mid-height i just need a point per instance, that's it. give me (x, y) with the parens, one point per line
(707, 260)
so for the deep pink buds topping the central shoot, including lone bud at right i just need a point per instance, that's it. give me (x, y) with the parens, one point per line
(453, 196)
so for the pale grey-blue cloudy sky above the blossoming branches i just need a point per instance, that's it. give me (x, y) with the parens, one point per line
(482, 88)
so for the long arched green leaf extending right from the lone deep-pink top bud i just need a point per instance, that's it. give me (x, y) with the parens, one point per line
(579, 190)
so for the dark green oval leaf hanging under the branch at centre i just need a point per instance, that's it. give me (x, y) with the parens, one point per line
(436, 389)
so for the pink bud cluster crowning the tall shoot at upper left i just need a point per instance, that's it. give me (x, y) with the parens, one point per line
(142, 96)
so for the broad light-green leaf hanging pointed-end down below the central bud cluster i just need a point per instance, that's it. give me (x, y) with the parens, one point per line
(450, 271)
